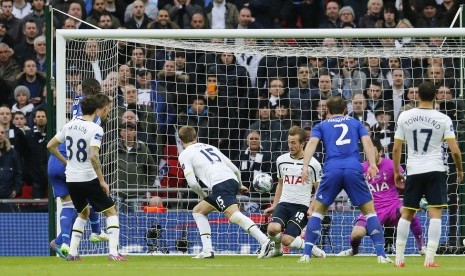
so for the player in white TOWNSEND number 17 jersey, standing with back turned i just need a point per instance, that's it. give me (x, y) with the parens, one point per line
(424, 129)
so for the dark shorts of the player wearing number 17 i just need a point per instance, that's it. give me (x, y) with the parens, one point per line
(431, 184)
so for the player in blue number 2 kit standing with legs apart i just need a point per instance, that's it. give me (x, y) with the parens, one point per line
(342, 170)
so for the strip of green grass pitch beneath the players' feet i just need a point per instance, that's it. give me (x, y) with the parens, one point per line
(224, 266)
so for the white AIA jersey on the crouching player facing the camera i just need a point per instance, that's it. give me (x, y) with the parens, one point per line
(290, 171)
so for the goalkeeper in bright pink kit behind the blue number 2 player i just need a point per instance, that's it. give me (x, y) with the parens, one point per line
(387, 203)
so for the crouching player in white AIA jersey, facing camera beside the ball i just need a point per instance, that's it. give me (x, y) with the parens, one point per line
(292, 199)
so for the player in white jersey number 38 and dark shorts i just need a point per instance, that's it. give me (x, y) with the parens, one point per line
(84, 175)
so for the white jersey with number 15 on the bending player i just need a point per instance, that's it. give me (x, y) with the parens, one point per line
(208, 163)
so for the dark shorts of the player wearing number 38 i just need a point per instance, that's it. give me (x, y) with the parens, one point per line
(83, 193)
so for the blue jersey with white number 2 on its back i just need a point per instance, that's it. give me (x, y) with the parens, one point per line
(340, 136)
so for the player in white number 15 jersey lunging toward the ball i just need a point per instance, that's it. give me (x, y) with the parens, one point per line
(220, 175)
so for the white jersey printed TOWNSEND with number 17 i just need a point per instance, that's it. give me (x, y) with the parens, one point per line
(424, 130)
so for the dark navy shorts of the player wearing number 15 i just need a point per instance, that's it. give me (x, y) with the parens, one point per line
(223, 195)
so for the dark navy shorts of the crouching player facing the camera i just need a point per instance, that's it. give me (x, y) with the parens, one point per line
(292, 217)
